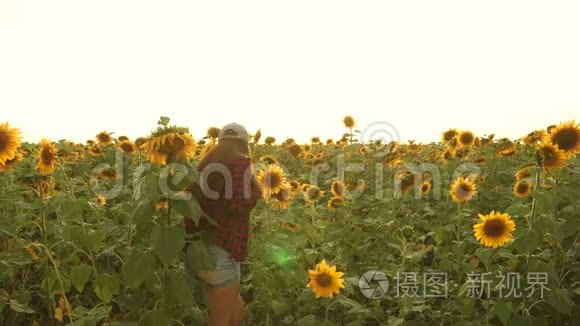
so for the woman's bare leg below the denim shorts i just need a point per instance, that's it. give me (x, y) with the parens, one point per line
(222, 304)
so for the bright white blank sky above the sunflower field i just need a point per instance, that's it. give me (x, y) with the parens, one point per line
(69, 69)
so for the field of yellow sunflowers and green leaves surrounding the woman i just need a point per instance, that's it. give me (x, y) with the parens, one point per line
(469, 230)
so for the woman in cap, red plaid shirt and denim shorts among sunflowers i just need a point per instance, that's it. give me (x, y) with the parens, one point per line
(227, 193)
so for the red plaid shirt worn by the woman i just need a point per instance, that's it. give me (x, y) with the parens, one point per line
(228, 201)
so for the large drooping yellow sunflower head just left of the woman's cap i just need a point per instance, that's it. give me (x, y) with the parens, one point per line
(160, 147)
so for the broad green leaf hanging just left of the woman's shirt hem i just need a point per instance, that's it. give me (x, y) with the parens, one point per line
(168, 241)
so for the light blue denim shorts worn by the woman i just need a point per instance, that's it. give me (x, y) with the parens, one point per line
(227, 269)
